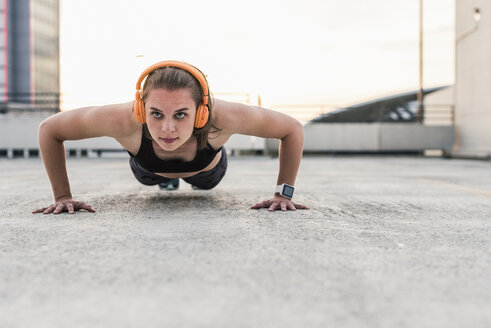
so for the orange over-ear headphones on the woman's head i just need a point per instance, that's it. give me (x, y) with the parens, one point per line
(202, 110)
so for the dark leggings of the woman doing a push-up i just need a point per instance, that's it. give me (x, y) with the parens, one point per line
(203, 180)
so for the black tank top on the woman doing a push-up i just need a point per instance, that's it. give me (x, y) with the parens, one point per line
(147, 159)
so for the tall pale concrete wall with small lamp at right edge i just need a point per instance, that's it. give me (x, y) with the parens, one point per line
(473, 78)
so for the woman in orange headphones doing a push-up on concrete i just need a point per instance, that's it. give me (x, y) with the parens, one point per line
(172, 130)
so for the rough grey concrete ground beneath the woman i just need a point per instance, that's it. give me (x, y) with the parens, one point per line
(389, 242)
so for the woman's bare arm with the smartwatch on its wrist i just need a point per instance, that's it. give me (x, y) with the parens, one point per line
(237, 118)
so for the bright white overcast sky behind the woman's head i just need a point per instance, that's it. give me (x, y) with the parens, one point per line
(288, 51)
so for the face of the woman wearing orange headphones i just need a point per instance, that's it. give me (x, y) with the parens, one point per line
(170, 117)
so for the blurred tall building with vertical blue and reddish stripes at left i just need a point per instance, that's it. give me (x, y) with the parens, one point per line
(29, 55)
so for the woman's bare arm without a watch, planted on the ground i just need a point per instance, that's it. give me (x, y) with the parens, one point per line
(112, 120)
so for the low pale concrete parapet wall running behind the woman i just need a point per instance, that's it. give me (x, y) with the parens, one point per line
(19, 138)
